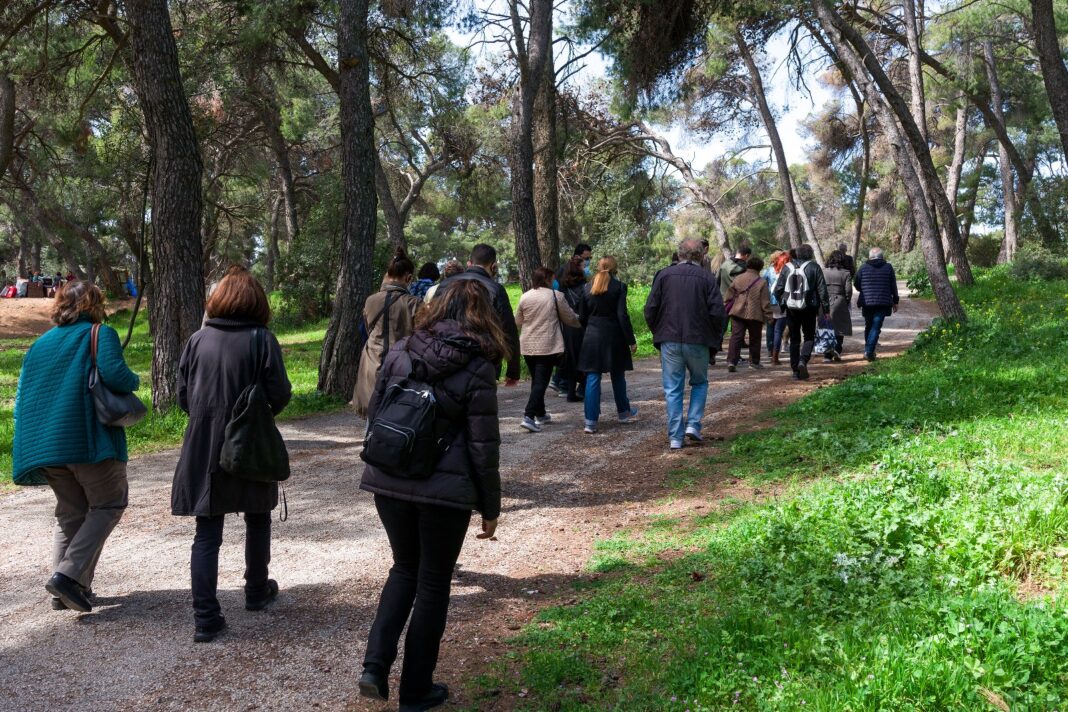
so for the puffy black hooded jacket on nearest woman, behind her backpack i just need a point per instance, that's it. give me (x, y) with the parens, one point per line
(468, 474)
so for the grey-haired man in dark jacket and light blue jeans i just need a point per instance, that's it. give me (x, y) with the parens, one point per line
(685, 313)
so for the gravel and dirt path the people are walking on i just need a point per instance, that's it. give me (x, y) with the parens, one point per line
(564, 491)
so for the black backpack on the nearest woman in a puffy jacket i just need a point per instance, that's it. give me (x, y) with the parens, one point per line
(411, 431)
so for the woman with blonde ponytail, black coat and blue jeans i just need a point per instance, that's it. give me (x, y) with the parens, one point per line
(608, 345)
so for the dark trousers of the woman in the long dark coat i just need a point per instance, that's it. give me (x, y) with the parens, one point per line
(205, 563)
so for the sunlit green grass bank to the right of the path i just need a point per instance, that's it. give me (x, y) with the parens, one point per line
(915, 562)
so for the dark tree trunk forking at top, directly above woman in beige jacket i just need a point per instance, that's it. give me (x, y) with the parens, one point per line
(532, 56)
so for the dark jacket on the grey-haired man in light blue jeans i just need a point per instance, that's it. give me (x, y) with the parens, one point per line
(685, 307)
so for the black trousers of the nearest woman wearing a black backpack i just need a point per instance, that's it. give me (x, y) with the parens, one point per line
(427, 542)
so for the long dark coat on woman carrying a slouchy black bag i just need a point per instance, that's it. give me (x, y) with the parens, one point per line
(216, 367)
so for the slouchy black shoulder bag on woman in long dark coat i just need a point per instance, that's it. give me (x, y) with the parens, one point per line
(253, 448)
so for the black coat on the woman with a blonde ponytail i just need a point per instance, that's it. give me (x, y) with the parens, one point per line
(606, 346)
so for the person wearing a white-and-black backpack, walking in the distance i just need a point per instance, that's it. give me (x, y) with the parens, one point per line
(803, 289)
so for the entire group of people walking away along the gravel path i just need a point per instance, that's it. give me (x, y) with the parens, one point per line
(456, 337)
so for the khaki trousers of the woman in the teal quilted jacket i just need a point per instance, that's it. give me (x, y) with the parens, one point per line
(90, 500)
